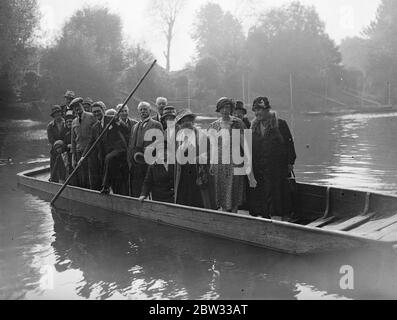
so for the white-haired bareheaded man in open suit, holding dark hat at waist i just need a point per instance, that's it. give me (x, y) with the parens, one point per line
(137, 146)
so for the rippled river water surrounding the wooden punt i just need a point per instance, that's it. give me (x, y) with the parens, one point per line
(52, 254)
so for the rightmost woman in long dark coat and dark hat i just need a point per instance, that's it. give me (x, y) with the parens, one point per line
(273, 155)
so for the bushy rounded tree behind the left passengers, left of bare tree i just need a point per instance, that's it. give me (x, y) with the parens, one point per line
(87, 58)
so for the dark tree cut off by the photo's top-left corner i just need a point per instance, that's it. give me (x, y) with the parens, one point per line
(18, 22)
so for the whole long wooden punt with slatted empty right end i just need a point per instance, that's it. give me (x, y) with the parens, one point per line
(329, 219)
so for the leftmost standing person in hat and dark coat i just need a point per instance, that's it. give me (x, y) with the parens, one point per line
(56, 131)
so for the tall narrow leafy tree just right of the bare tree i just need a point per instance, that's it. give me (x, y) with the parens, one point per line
(220, 43)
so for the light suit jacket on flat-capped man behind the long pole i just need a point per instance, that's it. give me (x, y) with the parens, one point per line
(82, 132)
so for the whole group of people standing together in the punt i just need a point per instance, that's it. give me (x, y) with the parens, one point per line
(118, 162)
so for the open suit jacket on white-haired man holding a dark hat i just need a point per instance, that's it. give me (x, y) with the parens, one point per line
(136, 141)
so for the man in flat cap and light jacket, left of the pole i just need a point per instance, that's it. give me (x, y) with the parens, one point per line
(81, 136)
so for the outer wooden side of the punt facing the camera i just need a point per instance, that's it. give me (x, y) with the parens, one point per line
(274, 235)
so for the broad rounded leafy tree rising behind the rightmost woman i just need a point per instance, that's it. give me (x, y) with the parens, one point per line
(292, 40)
